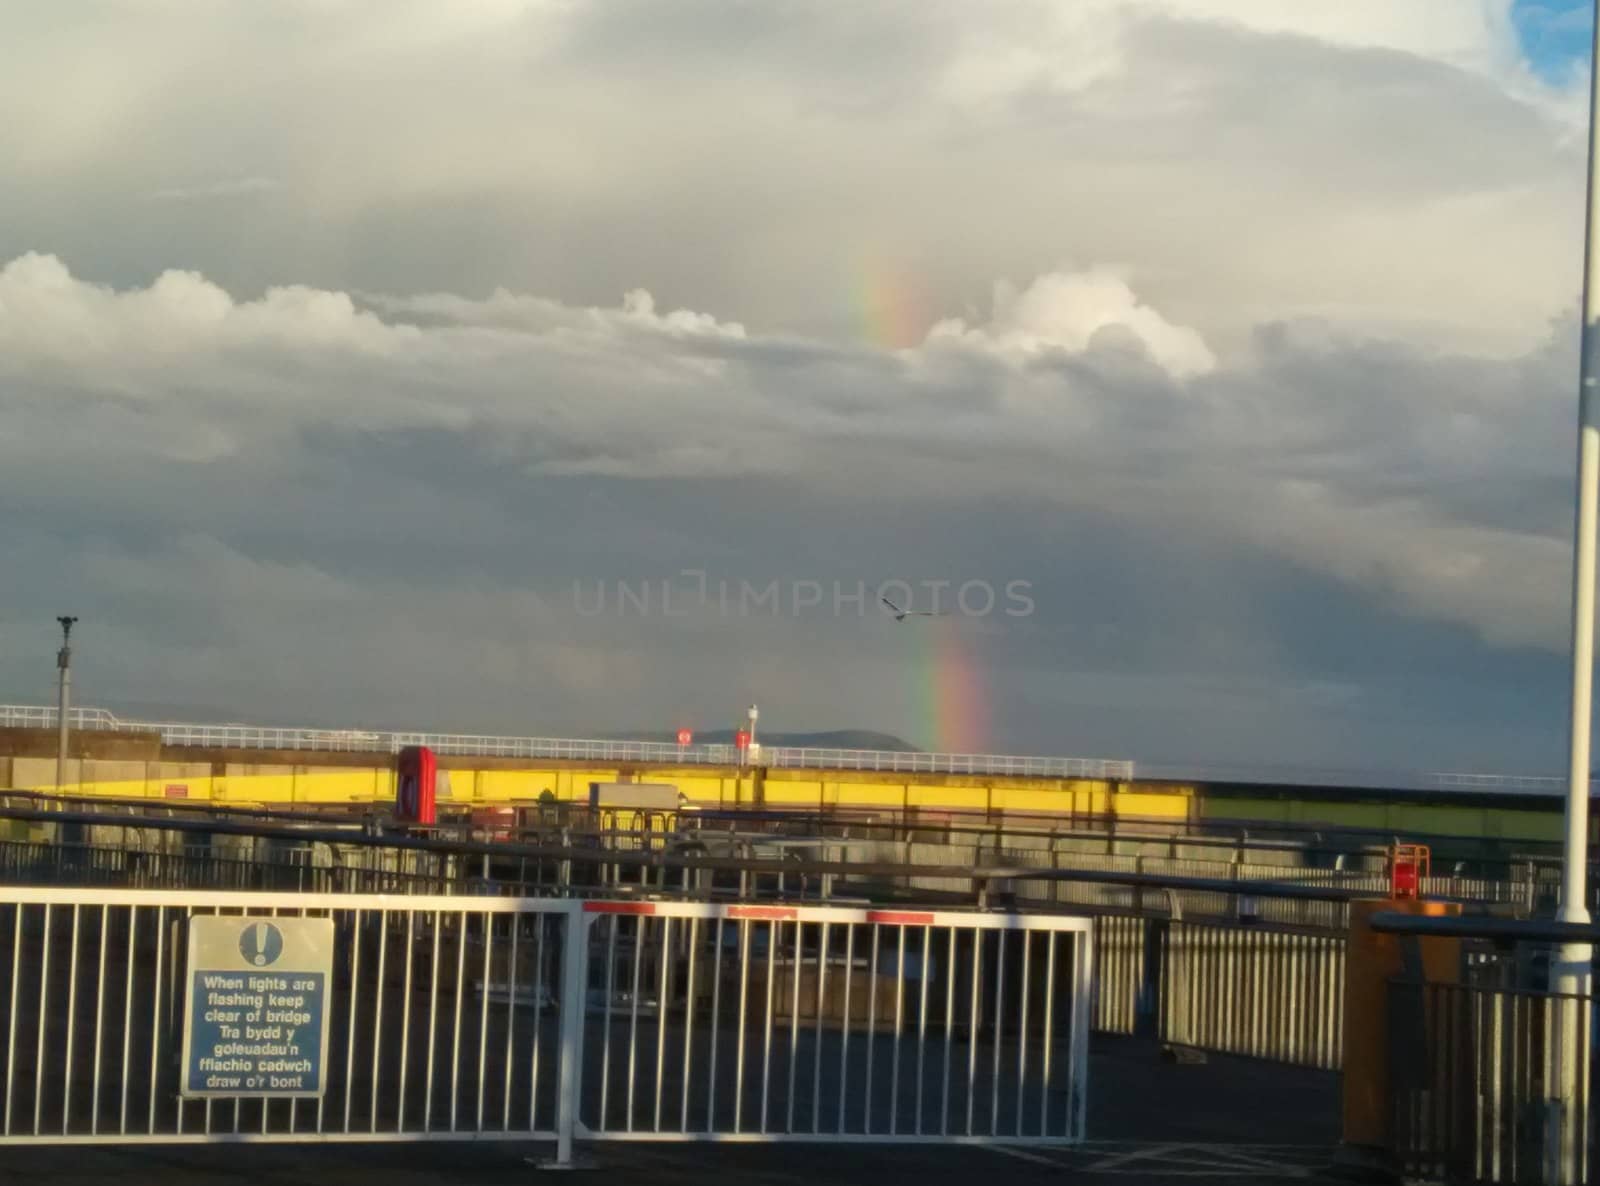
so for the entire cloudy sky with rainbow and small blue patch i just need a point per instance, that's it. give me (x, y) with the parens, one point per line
(578, 366)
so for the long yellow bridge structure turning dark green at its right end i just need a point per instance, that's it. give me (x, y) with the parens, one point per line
(338, 771)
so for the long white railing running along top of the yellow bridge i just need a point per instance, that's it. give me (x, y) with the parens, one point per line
(599, 750)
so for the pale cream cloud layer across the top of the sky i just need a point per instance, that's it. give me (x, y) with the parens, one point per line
(1366, 162)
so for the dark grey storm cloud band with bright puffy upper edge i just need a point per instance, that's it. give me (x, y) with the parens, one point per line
(302, 503)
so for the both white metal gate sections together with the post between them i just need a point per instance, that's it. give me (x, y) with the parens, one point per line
(508, 1019)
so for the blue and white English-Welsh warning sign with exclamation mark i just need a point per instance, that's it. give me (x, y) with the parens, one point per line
(257, 1011)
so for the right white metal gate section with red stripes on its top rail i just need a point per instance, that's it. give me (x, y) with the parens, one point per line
(754, 1024)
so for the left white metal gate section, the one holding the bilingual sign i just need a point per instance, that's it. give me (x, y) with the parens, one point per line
(441, 1024)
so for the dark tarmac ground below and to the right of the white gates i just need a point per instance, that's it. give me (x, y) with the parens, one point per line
(1150, 1121)
